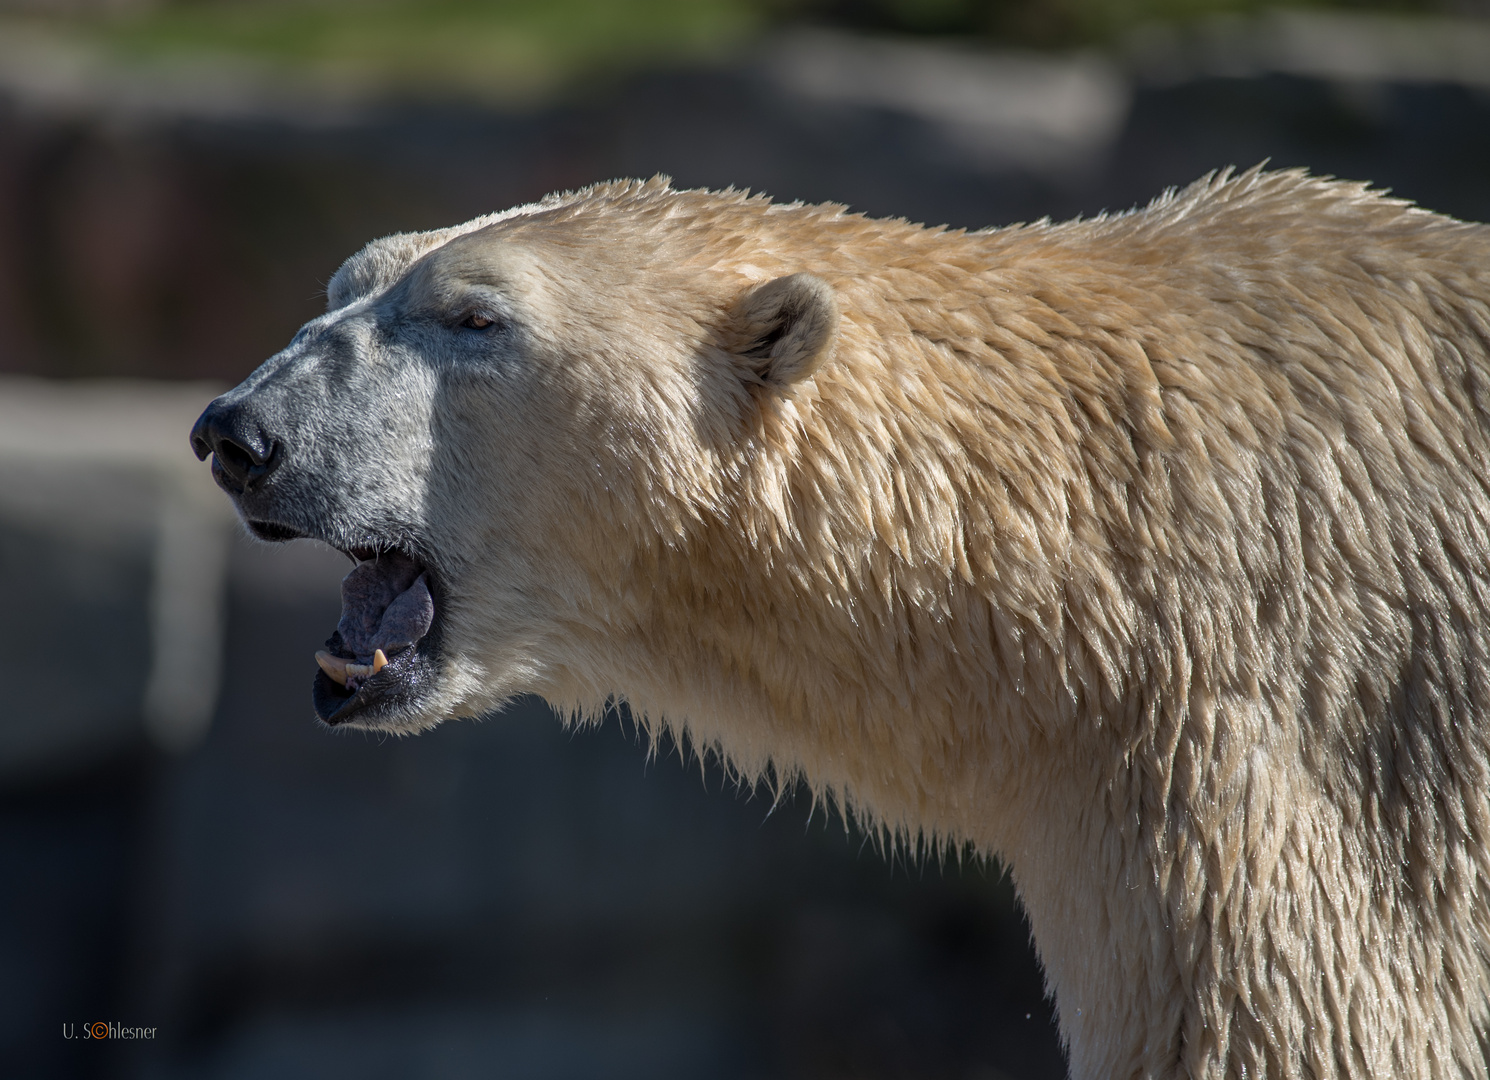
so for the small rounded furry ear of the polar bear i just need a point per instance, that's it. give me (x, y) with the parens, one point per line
(783, 331)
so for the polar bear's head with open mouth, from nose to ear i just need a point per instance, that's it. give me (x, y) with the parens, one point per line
(504, 422)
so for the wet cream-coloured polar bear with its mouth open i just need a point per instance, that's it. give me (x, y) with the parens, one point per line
(1150, 553)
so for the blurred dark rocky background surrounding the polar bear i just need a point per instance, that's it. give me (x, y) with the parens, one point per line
(181, 847)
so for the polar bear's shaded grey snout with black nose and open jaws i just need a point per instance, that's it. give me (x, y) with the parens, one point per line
(309, 451)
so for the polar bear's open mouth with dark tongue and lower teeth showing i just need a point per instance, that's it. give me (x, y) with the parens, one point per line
(381, 658)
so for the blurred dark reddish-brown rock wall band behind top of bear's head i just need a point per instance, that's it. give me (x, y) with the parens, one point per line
(183, 248)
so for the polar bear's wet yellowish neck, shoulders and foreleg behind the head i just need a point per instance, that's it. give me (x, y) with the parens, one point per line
(1163, 592)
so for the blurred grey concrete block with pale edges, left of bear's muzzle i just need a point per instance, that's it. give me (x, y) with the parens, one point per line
(117, 546)
